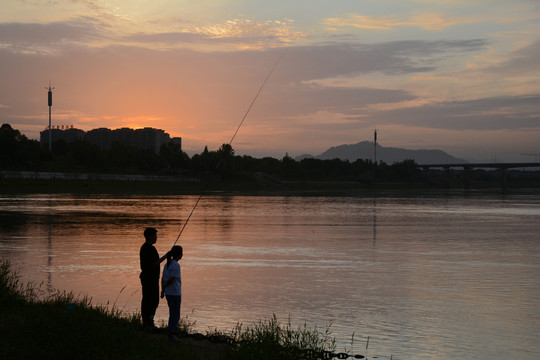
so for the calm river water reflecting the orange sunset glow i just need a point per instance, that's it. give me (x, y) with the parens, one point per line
(424, 278)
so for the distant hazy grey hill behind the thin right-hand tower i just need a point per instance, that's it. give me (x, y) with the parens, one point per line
(364, 150)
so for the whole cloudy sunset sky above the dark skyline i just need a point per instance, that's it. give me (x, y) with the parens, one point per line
(462, 76)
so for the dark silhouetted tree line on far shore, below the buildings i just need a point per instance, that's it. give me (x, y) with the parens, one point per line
(17, 152)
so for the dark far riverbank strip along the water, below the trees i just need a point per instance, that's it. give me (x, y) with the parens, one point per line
(258, 184)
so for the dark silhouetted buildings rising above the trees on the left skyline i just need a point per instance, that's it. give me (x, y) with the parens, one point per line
(146, 138)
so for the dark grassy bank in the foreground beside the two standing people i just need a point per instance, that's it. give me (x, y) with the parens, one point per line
(39, 324)
